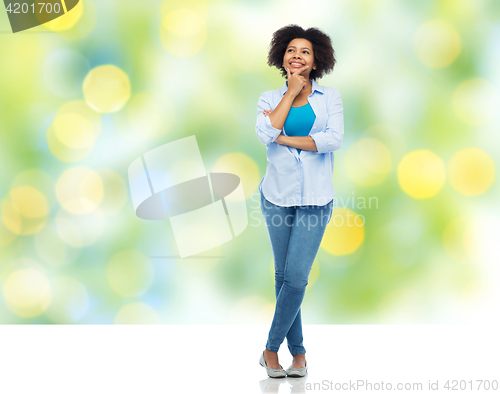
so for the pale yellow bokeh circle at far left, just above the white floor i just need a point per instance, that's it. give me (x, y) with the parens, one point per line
(27, 292)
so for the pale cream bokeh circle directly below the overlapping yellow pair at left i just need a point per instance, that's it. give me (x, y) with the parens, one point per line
(79, 190)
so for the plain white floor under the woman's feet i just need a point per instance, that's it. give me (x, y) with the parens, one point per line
(224, 359)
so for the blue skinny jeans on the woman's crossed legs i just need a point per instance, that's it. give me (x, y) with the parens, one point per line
(296, 234)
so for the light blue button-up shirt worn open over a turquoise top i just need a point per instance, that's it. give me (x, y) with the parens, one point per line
(306, 179)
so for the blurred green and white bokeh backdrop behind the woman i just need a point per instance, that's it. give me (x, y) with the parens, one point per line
(405, 271)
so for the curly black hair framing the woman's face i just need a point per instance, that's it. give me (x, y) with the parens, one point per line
(324, 55)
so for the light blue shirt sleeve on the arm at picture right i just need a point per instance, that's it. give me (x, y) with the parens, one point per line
(331, 138)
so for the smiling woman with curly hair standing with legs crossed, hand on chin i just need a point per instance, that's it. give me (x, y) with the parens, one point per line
(301, 124)
